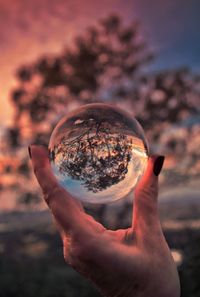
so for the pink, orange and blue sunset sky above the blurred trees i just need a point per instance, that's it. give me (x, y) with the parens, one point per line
(31, 28)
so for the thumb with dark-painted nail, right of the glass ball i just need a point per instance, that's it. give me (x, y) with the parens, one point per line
(145, 211)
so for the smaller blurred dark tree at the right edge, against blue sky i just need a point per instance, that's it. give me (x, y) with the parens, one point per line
(172, 96)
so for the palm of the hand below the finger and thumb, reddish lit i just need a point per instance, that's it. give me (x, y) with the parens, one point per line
(121, 263)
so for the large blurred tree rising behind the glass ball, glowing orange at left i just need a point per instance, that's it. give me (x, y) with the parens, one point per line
(101, 64)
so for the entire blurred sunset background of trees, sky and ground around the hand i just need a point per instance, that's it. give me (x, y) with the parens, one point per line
(58, 55)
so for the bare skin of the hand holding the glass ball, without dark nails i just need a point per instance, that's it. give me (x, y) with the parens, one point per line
(135, 262)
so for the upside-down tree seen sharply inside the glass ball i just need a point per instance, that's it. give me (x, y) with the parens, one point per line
(97, 157)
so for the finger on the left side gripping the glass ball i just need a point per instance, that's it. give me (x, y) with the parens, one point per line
(68, 212)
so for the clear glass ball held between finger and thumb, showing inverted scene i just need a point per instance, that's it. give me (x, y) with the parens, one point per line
(98, 153)
